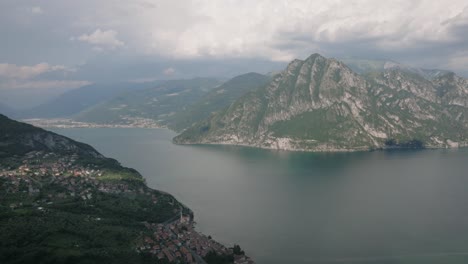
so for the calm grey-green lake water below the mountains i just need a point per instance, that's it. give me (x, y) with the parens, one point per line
(290, 207)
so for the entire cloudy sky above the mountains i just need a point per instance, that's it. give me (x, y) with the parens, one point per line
(51, 46)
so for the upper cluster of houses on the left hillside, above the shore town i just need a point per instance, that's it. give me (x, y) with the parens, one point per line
(72, 179)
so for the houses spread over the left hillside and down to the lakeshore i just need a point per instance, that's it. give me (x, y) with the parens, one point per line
(44, 179)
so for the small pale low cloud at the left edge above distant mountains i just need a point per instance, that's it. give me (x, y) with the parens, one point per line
(13, 71)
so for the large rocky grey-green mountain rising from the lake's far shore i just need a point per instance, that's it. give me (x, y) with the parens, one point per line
(320, 104)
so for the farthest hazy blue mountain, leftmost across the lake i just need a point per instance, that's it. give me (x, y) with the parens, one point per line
(74, 101)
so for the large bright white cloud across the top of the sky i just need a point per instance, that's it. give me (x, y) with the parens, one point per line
(280, 29)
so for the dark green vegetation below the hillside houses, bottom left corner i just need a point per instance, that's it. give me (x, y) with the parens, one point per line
(101, 230)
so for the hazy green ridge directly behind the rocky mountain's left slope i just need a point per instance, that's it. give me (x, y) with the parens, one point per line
(216, 100)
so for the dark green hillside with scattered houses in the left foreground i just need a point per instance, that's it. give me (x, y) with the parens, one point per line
(63, 202)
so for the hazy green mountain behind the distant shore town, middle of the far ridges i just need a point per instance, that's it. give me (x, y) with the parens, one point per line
(156, 103)
